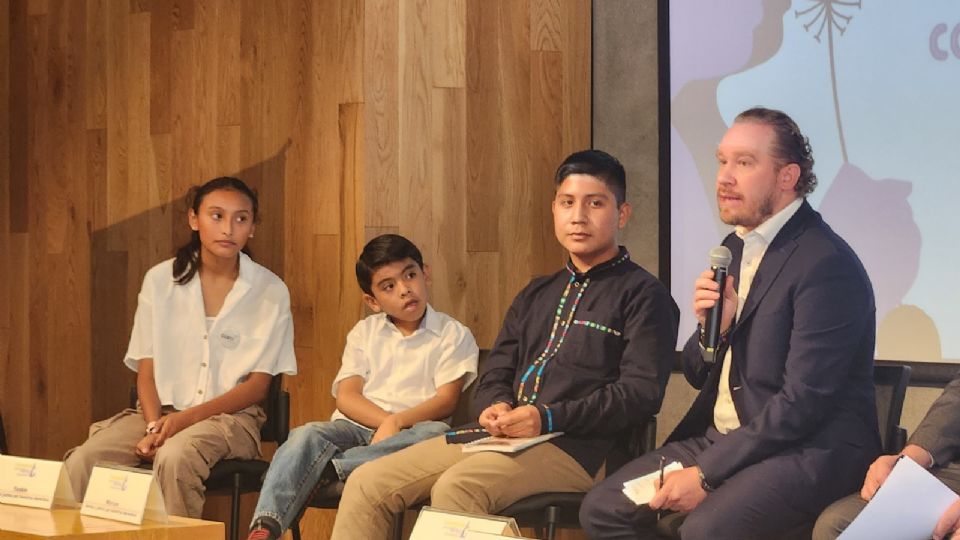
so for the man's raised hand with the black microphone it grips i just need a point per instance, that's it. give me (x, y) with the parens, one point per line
(714, 316)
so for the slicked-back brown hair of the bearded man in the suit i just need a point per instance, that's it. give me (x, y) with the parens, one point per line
(791, 147)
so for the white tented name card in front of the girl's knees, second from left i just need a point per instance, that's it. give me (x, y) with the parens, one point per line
(123, 494)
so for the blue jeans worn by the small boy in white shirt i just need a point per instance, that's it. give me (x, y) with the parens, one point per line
(297, 464)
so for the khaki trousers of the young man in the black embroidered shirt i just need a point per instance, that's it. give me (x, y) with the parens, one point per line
(482, 483)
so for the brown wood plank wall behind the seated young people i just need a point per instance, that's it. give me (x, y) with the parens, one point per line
(439, 119)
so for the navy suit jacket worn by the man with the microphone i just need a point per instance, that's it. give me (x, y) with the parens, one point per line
(802, 367)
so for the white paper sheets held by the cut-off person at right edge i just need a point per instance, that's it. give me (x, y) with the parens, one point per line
(907, 506)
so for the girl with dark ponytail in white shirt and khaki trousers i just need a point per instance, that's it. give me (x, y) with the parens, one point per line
(212, 328)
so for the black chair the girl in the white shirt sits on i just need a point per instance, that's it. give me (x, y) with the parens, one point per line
(235, 477)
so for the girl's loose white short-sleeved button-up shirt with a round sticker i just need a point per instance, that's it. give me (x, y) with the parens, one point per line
(196, 360)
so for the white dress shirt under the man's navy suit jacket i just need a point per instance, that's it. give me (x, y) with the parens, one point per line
(755, 244)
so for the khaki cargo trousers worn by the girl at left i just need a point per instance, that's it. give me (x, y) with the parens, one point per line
(181, 465)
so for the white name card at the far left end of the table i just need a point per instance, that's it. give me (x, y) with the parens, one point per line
(39, 483)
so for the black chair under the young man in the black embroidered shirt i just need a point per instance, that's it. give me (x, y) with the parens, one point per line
(547, 512)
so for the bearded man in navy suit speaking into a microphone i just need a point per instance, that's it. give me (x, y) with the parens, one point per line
(785, 421)
